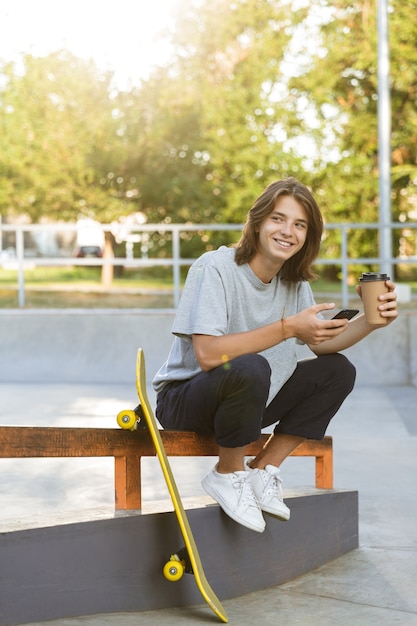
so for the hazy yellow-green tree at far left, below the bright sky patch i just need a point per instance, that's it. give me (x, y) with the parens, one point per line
(59, 139)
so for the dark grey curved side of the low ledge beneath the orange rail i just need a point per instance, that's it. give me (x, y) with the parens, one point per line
(113, 565)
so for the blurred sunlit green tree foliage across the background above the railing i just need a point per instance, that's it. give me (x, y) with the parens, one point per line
(254, 90)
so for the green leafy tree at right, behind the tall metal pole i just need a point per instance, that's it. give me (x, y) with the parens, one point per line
(340, 85)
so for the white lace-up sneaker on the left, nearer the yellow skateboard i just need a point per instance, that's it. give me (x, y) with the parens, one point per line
(234, 494)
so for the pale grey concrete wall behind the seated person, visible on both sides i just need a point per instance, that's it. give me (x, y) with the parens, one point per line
(99, 346)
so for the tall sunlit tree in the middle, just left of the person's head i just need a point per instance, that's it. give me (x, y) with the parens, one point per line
(212, 115)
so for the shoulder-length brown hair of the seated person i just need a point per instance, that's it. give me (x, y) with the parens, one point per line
(298, 267)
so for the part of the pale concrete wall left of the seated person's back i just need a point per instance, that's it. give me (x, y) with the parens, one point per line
(81, 345)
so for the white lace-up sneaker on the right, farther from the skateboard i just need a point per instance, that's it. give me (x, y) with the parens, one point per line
(266, 484)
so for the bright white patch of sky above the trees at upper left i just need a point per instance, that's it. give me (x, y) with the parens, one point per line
(120, 35)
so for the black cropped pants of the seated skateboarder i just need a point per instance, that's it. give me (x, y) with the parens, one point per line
(229, 401)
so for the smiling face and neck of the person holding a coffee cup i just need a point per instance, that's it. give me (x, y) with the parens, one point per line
(281, 235)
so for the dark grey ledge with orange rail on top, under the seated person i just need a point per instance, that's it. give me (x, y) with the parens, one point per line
(113, 563)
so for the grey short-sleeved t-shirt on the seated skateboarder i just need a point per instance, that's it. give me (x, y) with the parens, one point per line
(221, 297)
